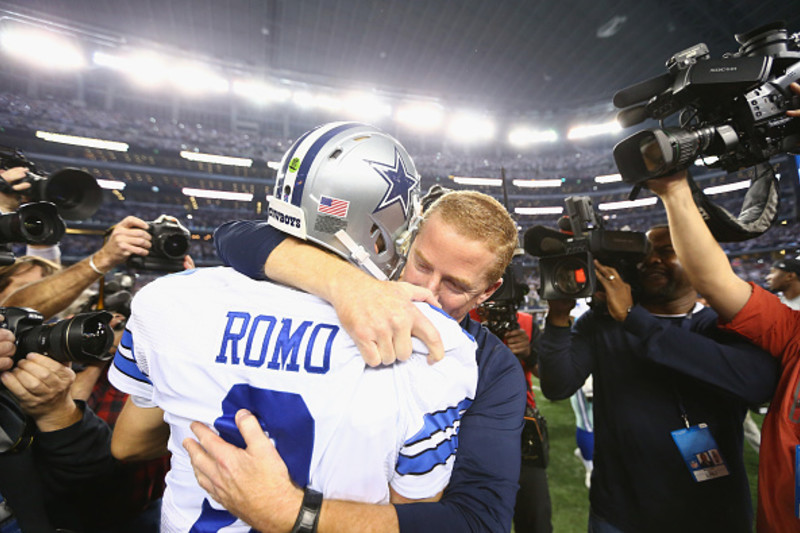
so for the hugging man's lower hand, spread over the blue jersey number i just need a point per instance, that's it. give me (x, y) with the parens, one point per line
(252, 483)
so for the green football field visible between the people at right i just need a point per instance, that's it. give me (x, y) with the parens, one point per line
(566, 473)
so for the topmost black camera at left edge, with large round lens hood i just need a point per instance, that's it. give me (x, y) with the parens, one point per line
(75, 192)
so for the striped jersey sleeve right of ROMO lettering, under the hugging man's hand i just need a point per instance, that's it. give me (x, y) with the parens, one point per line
(436, 398)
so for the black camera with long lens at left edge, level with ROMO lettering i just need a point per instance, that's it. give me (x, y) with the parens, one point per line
(84, 338)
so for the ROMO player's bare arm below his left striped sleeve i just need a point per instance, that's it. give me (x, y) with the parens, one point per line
(140, 433)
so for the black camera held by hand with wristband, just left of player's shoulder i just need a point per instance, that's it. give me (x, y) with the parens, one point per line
(170, 244)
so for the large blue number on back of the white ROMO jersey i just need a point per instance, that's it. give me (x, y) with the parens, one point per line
(285, 416)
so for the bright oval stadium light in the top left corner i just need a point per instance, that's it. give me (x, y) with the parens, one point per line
(43, 49)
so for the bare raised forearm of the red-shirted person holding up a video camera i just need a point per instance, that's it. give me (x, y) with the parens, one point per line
(700, 255)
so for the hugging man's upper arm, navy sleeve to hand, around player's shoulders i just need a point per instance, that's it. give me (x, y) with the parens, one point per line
(380, 316)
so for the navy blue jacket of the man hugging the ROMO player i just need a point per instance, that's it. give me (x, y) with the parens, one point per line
(483, 487)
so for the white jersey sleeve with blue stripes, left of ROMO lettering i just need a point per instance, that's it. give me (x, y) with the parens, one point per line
(129, 371)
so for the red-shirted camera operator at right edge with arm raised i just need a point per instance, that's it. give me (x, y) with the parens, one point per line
(759, 316)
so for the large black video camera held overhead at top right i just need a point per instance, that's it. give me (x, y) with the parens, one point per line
(733, 108)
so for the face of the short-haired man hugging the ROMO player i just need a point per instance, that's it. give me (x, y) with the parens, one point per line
(453, 268)
